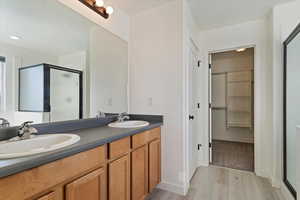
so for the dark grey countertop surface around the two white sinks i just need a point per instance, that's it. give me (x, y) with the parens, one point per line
(89, 139)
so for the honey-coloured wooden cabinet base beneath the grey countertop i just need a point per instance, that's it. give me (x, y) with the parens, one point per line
(125, 169)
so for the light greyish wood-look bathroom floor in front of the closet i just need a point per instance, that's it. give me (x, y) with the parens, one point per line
(216, 183)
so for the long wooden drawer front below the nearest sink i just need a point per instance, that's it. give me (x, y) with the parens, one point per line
(22, 186)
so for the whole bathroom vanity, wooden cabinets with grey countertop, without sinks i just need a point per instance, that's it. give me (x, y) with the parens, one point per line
(107, 163)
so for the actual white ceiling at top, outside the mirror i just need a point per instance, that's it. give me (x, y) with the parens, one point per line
(208, 13)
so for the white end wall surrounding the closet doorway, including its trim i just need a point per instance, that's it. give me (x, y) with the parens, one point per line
(252, 33)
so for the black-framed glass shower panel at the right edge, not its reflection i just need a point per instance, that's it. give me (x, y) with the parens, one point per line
(291, 107)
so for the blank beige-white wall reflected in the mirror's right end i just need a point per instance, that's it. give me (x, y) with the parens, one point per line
(108, 66)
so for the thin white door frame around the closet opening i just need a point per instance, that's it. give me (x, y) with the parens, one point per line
(255, 103)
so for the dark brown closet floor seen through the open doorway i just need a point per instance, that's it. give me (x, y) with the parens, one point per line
(234, 155)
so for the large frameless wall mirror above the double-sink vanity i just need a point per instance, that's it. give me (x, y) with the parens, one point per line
(57, 65)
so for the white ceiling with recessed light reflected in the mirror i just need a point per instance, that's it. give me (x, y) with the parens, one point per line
(46, 26)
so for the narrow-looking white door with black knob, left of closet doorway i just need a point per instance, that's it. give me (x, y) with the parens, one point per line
(194, 107)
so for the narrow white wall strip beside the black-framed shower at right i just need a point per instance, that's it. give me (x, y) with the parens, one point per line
(285, 18)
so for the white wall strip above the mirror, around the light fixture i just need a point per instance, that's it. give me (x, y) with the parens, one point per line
(117, 23)
